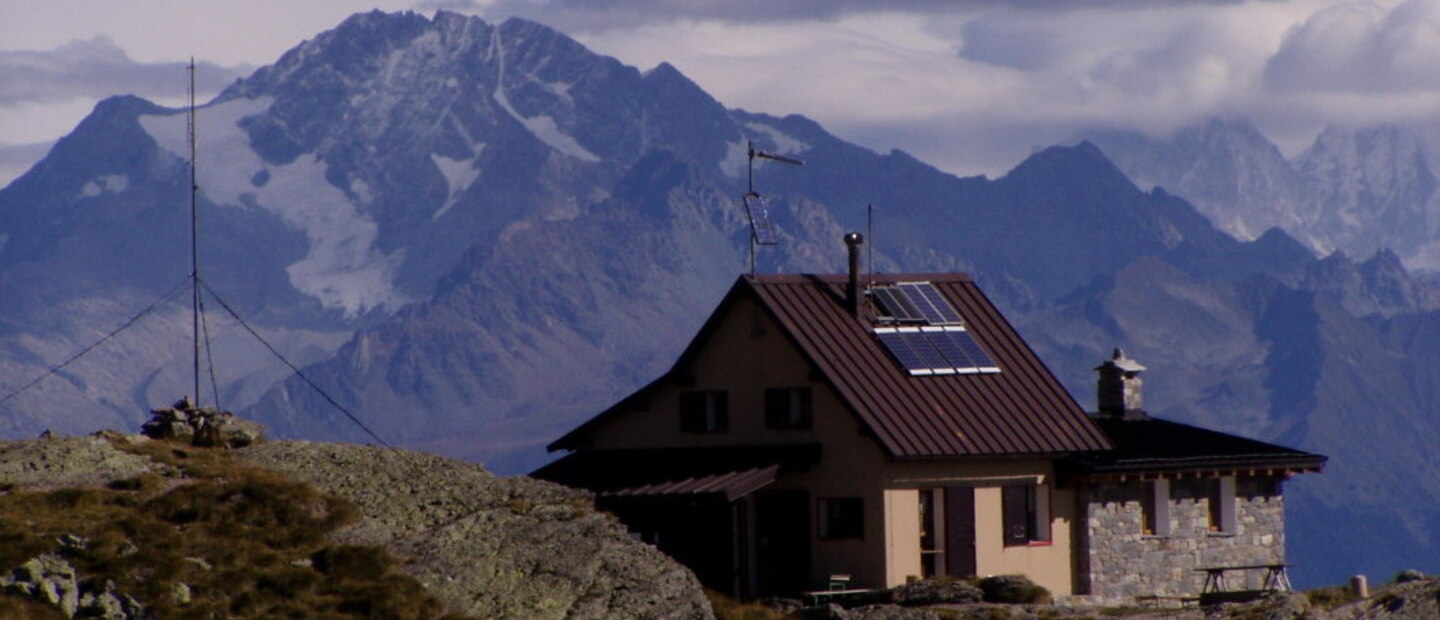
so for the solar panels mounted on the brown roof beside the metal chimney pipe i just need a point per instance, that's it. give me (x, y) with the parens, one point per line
(938, 342)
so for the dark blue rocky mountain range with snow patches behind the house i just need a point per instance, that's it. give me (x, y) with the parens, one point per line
(474, 235)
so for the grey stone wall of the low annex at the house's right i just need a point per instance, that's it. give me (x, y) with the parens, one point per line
(1115, 560)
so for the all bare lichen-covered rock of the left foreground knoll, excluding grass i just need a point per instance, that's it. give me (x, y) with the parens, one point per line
(485, 546)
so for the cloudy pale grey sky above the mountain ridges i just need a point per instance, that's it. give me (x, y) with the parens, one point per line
(968, 86)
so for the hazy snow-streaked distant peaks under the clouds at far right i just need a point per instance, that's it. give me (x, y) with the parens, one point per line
(1357, 191)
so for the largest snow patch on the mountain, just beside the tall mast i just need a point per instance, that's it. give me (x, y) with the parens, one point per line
(345, 268)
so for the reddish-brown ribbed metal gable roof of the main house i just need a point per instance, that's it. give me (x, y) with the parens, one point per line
(1020, 411)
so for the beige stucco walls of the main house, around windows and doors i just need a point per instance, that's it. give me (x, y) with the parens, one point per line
(747, 355)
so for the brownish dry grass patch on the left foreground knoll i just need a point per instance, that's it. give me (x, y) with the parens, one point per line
(246, 542)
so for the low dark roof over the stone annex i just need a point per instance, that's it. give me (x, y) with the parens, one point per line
(1151, 445)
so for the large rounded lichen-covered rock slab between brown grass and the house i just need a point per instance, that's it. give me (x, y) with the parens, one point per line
(489, 546)
